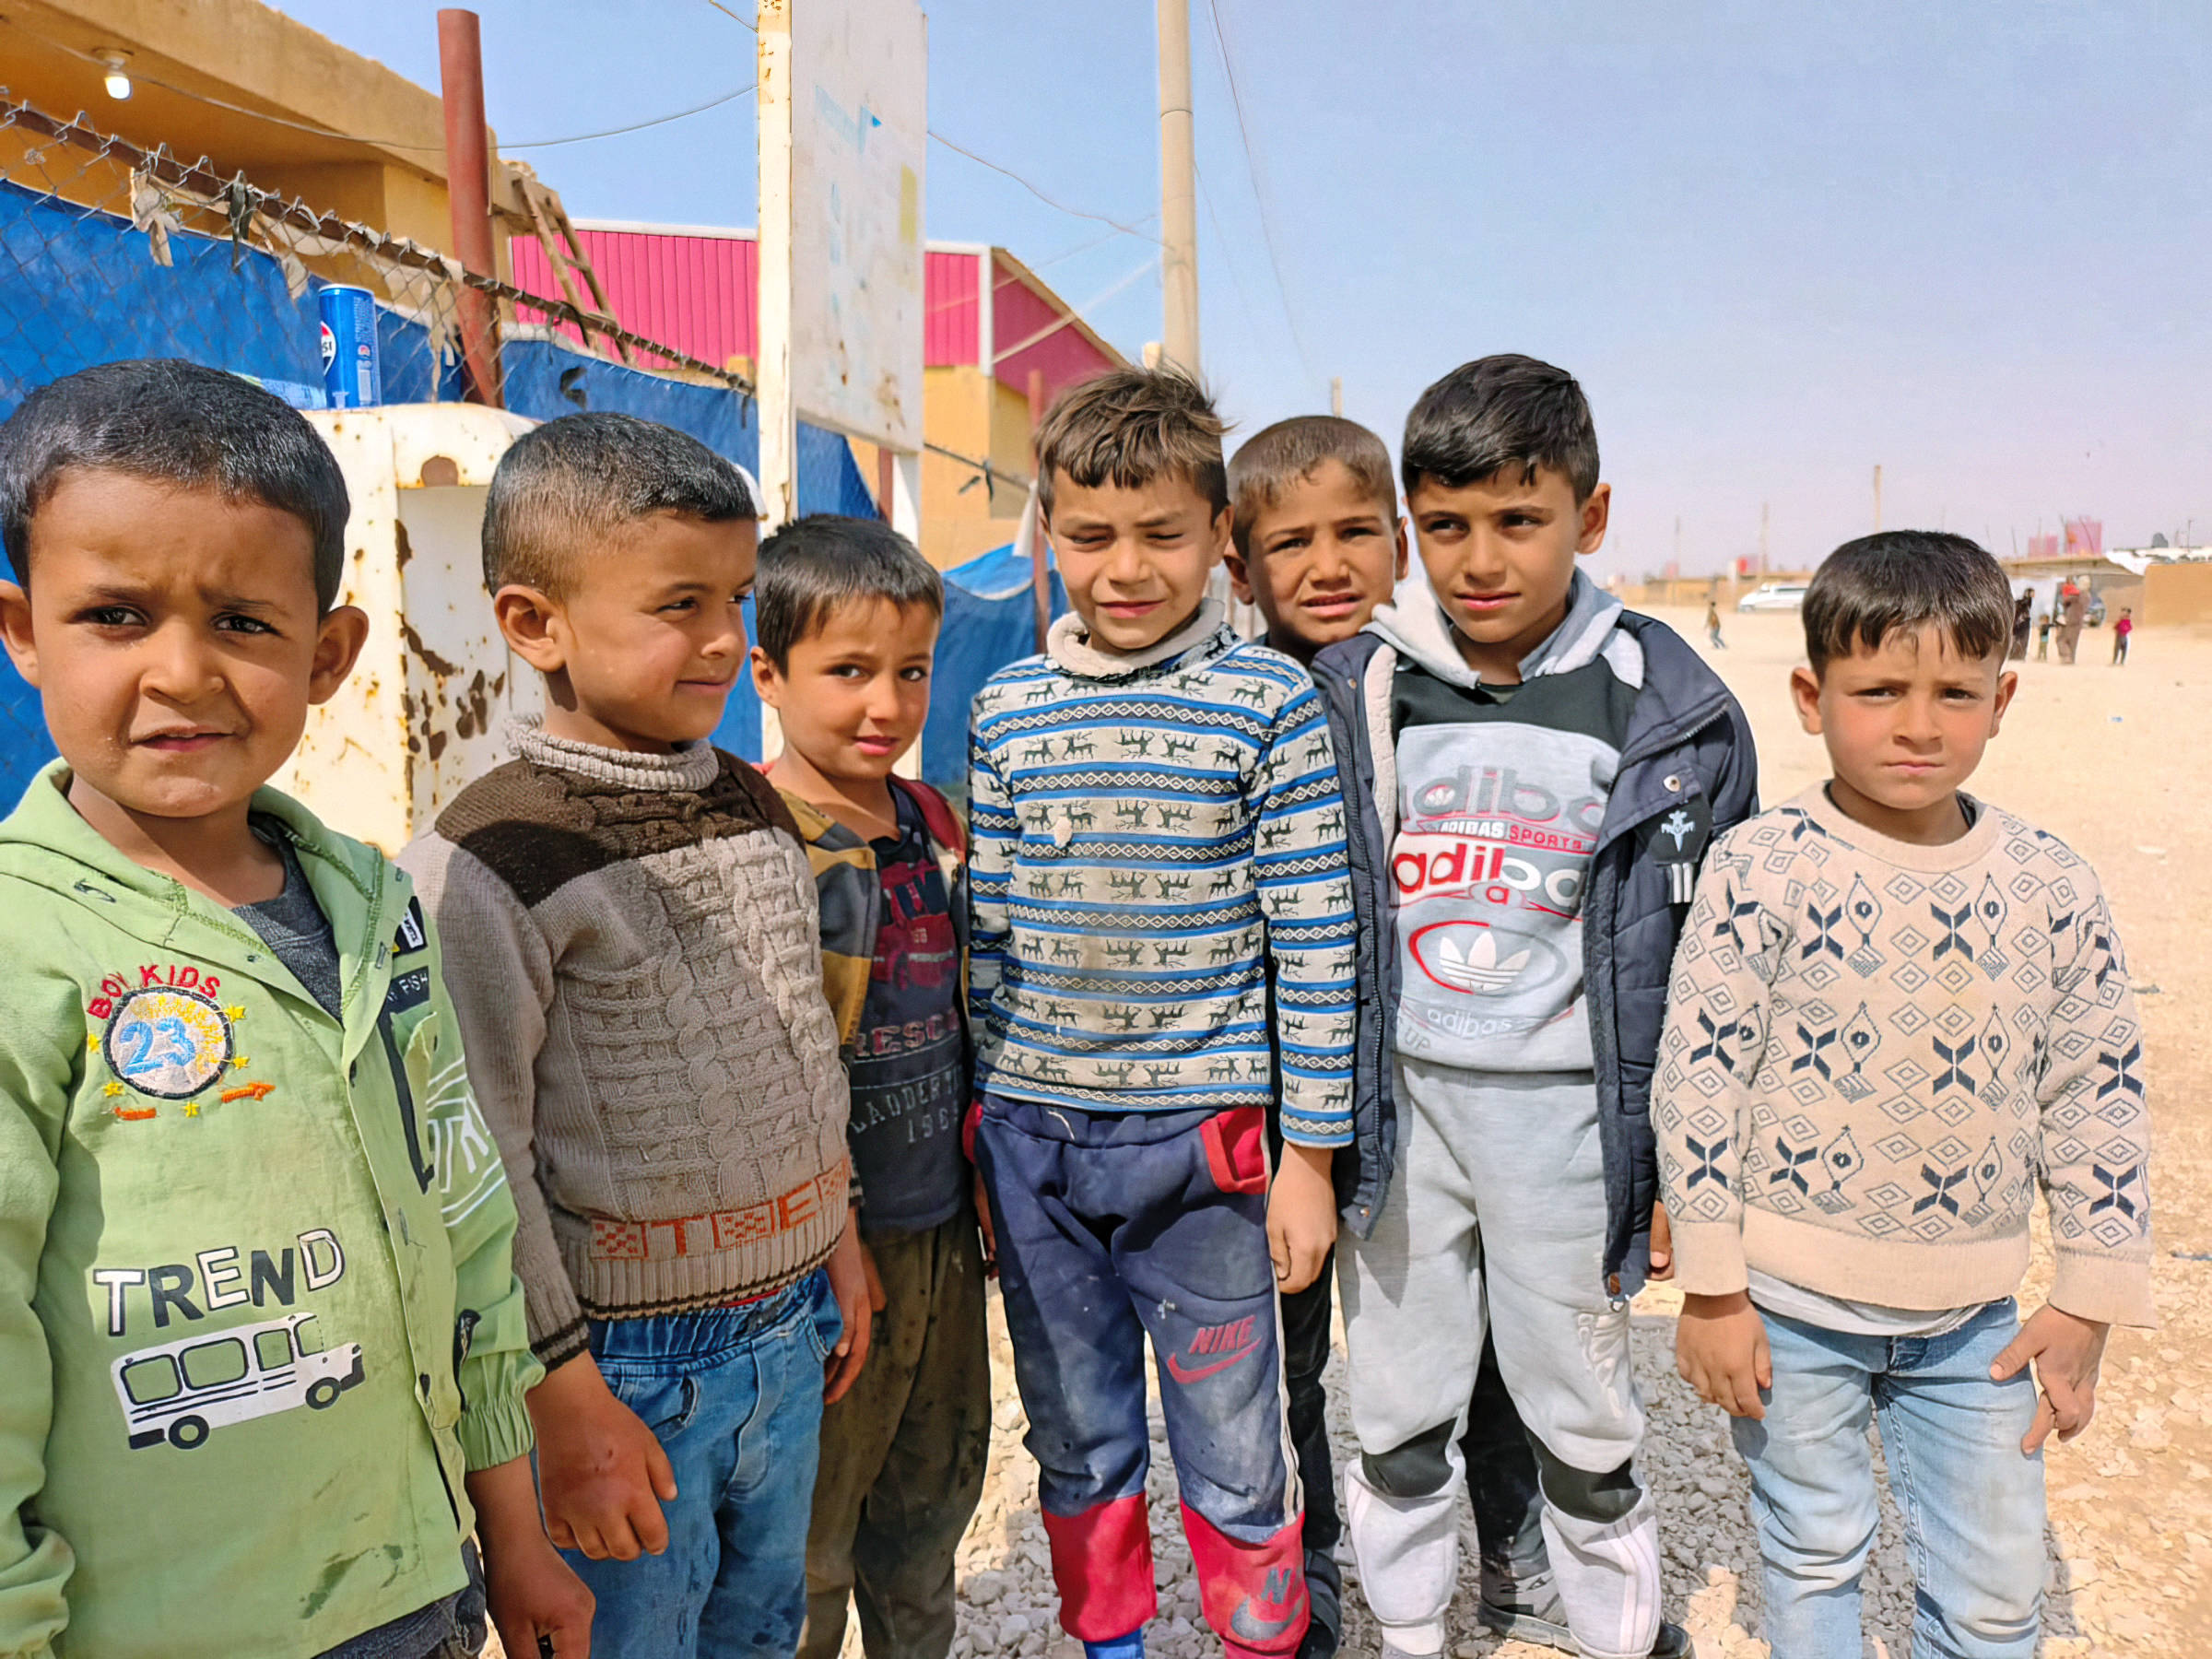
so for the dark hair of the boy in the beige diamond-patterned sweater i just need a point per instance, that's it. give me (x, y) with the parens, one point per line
(1903, 581)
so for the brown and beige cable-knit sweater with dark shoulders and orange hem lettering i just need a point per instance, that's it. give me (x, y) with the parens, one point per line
(632, 946)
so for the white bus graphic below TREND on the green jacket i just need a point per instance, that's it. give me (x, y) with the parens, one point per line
(182, 1390)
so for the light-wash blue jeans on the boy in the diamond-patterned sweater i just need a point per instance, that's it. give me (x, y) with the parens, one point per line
(1972, 1503)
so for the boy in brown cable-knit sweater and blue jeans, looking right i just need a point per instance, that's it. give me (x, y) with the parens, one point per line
(636, 954)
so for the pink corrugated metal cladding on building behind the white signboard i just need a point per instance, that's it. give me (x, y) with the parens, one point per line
(700, 293)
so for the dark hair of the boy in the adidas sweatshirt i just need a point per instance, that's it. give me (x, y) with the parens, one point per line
(1501, 413)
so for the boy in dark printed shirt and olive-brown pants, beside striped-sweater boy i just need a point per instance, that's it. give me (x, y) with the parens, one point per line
(848, 629)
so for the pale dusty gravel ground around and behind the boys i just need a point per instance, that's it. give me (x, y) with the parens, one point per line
(2109, 760)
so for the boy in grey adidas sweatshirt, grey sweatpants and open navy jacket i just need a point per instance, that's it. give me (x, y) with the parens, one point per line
(1532, 775)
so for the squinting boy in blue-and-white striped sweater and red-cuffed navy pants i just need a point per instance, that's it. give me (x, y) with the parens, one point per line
(1156, 824)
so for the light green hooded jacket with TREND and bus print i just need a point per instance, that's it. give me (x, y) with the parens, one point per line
(258, 1306)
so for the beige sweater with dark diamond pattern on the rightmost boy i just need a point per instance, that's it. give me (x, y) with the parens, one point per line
(1875, 1052)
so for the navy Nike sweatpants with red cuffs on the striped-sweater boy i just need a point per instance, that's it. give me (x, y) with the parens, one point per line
(1112, 1229)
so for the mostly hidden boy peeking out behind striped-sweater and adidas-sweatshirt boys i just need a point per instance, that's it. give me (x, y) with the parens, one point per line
(1317, 550)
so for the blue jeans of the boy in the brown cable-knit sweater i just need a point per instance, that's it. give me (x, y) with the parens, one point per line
(735, 1397)
